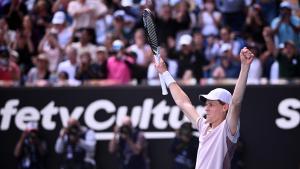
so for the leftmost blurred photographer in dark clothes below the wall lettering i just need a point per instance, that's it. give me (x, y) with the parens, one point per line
(30, 150)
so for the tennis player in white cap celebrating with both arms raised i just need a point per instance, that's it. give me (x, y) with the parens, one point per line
(219, 132)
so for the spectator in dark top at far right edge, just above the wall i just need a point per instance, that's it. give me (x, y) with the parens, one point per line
(288, 61)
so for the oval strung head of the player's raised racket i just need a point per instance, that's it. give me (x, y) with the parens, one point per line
(150, 30)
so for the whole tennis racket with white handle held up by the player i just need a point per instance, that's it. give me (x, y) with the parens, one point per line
(151, 34)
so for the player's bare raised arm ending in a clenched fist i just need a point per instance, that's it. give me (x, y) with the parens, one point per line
(233, 115)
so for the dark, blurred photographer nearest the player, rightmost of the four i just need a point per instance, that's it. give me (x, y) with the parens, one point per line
(184, 148)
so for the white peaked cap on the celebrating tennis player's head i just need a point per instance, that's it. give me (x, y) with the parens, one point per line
(220, 94)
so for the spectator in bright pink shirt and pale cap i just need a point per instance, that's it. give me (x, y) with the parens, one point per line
(117, 65)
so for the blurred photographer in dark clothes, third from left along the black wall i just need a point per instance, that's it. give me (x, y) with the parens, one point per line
(131, 146)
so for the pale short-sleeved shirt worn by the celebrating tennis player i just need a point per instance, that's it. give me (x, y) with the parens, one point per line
(216, 147)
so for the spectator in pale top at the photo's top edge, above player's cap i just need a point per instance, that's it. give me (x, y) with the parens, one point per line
(210, 19)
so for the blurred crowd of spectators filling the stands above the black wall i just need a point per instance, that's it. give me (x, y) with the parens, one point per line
(102, 42)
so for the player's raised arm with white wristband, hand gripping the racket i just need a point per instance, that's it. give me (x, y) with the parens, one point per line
(179, 96)
